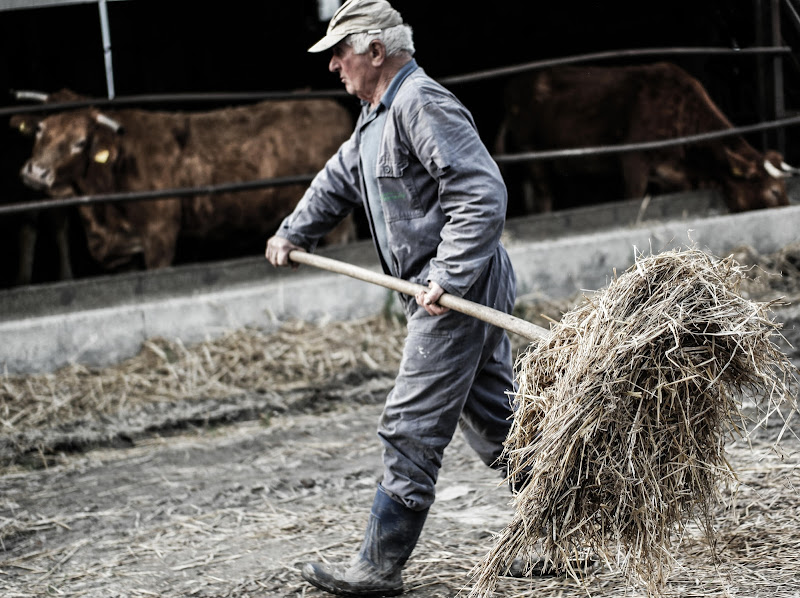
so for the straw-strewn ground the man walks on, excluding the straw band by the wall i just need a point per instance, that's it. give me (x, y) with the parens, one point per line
(231, 513)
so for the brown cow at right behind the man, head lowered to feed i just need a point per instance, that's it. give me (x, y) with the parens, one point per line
(588, 106)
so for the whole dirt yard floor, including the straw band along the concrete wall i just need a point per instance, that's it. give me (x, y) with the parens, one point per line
(215, 491)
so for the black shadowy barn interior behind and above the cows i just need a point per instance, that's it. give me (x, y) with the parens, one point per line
(181, 47)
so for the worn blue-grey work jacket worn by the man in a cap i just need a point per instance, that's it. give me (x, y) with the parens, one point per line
(443, 198)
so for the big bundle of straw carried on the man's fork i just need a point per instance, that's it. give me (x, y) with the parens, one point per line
(622, 415)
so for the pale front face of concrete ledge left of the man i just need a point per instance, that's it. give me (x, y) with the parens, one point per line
(108, 335)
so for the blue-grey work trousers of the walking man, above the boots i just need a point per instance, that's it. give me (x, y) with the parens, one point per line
(455, 371)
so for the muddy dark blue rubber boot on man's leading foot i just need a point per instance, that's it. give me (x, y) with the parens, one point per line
(392, 533)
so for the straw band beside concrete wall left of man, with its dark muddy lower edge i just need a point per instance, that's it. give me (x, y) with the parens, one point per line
(246, 374)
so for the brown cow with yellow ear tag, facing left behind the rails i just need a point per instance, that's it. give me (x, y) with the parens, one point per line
(87, 152)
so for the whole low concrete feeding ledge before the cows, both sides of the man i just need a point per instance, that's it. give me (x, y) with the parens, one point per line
(88, 323)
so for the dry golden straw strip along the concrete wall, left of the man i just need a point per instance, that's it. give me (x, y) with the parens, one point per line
(247, 360)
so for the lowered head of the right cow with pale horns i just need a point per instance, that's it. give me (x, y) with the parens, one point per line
(755, 183)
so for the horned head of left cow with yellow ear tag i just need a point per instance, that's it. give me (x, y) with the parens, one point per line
(67, 146)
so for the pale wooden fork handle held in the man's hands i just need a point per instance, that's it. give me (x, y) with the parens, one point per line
(486, 314)
